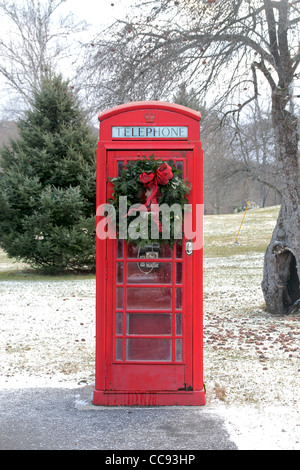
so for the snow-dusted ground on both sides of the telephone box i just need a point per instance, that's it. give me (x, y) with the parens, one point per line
(251, 358)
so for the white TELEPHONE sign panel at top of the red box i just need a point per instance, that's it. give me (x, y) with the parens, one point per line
(150, 132)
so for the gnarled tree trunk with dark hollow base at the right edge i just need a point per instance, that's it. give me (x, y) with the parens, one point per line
(281, 286)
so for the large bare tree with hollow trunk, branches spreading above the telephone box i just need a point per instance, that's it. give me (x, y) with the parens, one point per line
(232, 52)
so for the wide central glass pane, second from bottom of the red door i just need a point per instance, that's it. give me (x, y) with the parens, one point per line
(149, 323)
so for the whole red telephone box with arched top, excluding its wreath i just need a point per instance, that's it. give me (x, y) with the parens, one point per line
(149, 347)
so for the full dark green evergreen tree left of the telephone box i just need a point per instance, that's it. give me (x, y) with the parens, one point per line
(48, 184)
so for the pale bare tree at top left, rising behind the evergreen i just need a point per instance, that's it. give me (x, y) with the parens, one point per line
(34, 39)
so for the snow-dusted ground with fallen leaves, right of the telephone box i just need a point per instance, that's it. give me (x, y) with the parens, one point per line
(251, 358)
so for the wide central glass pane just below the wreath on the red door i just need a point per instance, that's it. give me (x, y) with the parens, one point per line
(148, 272)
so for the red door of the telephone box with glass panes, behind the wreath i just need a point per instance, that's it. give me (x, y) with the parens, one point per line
(149, 342)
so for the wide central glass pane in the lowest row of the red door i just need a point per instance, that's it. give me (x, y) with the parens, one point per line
(148, 349)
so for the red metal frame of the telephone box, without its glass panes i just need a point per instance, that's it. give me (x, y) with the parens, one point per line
(148, 382)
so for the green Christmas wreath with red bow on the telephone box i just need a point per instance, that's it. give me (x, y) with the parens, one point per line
(146, 182)
